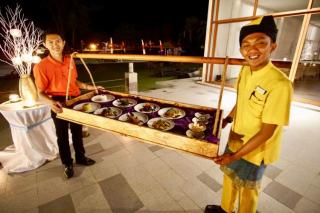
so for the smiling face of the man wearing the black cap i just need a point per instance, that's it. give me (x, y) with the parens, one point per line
(256, 49)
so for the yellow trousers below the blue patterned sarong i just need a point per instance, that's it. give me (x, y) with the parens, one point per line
(248, 198)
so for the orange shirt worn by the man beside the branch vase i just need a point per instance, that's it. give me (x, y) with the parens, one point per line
(51, 77)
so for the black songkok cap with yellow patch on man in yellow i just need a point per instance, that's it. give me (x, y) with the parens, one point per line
(264, 24)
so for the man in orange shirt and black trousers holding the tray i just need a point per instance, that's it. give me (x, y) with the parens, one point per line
(51, 78)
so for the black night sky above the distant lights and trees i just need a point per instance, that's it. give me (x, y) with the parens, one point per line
(94, 19)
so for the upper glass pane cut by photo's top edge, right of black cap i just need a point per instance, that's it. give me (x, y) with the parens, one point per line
(280, 6)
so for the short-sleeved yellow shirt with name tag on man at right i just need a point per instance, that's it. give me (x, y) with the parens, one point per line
(263, 96)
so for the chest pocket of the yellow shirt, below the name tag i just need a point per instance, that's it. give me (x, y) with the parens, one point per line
(256, 103)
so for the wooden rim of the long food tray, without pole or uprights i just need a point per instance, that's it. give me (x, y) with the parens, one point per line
(168, 139)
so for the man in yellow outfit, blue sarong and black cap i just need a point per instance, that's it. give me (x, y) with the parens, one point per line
(263, 106)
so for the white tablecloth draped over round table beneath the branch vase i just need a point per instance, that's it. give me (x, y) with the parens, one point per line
(33, 135)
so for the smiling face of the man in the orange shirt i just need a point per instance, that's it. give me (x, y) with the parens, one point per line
(55, 44)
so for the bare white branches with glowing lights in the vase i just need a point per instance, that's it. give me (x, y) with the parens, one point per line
(20, 40)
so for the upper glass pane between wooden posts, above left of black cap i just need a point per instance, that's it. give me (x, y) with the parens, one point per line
(235, 8)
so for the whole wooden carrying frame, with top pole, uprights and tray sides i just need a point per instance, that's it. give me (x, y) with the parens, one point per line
(199, 147)
